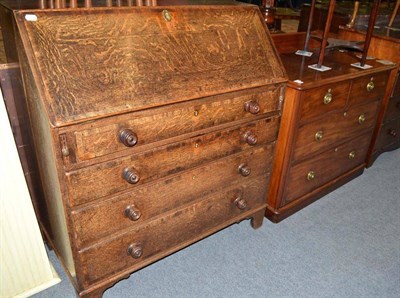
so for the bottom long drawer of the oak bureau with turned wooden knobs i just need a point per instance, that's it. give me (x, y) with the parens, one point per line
(172, 231)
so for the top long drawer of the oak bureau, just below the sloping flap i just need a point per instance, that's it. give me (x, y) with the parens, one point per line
(111, 135)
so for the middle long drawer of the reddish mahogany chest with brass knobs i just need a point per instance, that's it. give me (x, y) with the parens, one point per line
(320, 135)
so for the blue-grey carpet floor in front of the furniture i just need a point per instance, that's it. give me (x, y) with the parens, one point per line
(347, 244)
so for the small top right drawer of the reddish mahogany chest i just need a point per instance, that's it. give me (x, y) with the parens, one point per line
(368, 88)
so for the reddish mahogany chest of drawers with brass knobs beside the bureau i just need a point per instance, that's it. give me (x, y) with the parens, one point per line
(328, 121)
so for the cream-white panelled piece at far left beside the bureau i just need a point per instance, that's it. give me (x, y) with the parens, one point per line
(25, 268)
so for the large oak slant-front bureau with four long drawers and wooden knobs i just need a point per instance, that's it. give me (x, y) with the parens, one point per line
(154, 127)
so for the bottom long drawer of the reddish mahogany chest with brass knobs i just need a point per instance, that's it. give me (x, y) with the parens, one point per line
(311, 174)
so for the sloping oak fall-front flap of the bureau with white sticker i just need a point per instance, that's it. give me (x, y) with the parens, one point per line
(95, 63)
